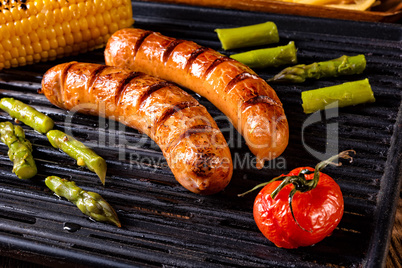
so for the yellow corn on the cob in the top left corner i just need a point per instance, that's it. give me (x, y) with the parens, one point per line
(41, 30)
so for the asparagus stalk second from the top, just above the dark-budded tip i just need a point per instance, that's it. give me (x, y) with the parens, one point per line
(268, 57)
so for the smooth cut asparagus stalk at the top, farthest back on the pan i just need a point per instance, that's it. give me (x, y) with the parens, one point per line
(247, 36)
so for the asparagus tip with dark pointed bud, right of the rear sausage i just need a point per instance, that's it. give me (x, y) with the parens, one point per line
(344, 65)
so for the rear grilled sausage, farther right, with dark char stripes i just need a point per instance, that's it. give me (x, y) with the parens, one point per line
(246, 99)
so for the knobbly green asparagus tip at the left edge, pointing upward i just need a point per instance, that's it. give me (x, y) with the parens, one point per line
(20, 150)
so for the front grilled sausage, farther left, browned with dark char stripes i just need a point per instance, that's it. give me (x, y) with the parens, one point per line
(189, 138)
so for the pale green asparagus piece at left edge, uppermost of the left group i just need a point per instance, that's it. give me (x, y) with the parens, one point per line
(27, 114)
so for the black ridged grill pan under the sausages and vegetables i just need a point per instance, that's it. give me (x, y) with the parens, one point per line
(165, 225)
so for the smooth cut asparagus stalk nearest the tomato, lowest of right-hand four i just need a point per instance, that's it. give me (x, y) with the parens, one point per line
(350, 93)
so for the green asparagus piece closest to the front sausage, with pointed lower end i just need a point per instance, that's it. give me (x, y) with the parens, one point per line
(77, 150)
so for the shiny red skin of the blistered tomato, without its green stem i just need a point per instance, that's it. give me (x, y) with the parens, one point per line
(317, 211)
